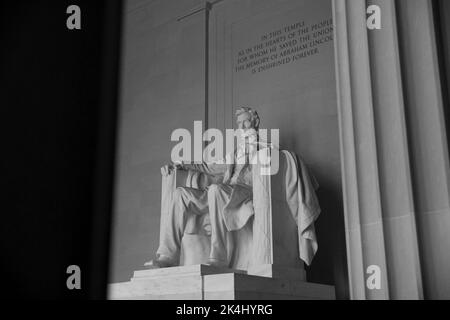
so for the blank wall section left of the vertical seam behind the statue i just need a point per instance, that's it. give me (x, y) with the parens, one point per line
(162, 88)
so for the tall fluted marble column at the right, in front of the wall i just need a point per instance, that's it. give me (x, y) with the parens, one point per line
(390, 109)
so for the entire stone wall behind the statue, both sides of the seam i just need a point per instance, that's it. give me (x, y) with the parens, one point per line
(163, 88)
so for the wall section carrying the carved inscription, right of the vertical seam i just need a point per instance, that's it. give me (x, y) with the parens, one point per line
(278, 56)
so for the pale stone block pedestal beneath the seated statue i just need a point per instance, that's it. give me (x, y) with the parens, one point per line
(202, 282)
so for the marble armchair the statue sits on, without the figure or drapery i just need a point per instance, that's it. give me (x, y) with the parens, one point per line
(268, 245)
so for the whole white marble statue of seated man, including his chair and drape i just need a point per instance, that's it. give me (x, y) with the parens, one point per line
(238, 216)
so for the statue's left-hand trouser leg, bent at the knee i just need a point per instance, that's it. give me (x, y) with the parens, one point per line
(186, 201)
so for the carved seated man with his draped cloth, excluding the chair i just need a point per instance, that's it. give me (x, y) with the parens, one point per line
(225, 205)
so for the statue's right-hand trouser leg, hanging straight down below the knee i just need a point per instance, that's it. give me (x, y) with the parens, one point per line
(218, 196)
